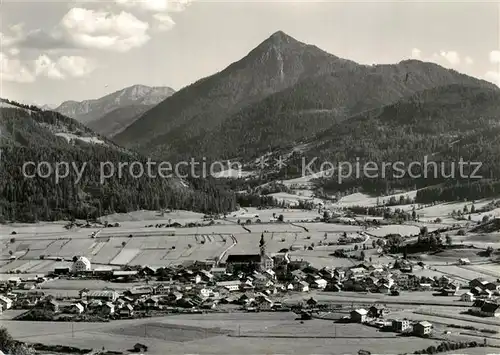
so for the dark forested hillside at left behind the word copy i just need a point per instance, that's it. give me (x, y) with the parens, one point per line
(32, 135)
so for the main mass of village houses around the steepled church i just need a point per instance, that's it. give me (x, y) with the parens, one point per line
(253, 281)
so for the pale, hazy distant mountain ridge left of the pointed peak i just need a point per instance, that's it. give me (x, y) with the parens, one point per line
(91, 110)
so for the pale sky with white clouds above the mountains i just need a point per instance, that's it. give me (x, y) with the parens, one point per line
(53, 51)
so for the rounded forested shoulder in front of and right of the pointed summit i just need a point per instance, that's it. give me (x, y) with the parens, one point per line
(313, 105)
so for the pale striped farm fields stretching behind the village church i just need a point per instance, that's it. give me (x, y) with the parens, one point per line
(137, 242)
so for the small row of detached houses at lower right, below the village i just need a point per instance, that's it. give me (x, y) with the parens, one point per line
(374, 316)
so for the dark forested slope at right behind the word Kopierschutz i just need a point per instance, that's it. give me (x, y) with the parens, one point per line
(442, 125)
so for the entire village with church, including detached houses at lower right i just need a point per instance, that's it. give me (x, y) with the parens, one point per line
(244, 283)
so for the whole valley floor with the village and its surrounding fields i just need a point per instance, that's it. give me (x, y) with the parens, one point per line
(306, 273)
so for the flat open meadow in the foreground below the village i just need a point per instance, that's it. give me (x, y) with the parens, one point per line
(262, 333)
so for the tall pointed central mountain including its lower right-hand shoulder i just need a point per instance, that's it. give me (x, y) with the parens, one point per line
(283, 92)
